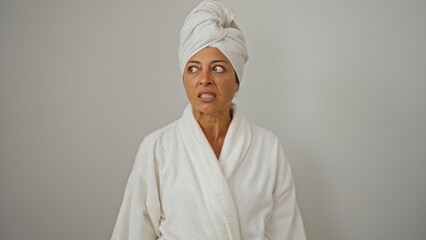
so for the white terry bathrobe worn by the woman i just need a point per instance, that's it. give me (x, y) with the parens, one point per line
(178, 189)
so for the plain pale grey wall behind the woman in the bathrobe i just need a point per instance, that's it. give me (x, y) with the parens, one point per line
(342, 83)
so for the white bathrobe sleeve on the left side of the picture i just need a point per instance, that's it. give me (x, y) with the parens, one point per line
(138, 216)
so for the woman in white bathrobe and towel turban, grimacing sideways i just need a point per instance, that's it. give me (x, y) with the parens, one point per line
(211, 174)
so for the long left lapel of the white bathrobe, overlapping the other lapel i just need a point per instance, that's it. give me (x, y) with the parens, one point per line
(213, 184)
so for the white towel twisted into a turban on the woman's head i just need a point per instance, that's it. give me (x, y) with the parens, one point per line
(212, 24)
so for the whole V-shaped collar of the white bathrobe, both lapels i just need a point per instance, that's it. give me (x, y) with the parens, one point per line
(213, 174)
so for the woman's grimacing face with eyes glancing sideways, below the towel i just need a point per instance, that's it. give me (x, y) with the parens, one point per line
(210, 81)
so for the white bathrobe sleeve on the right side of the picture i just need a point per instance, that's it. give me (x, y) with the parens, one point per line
(286, 221)
